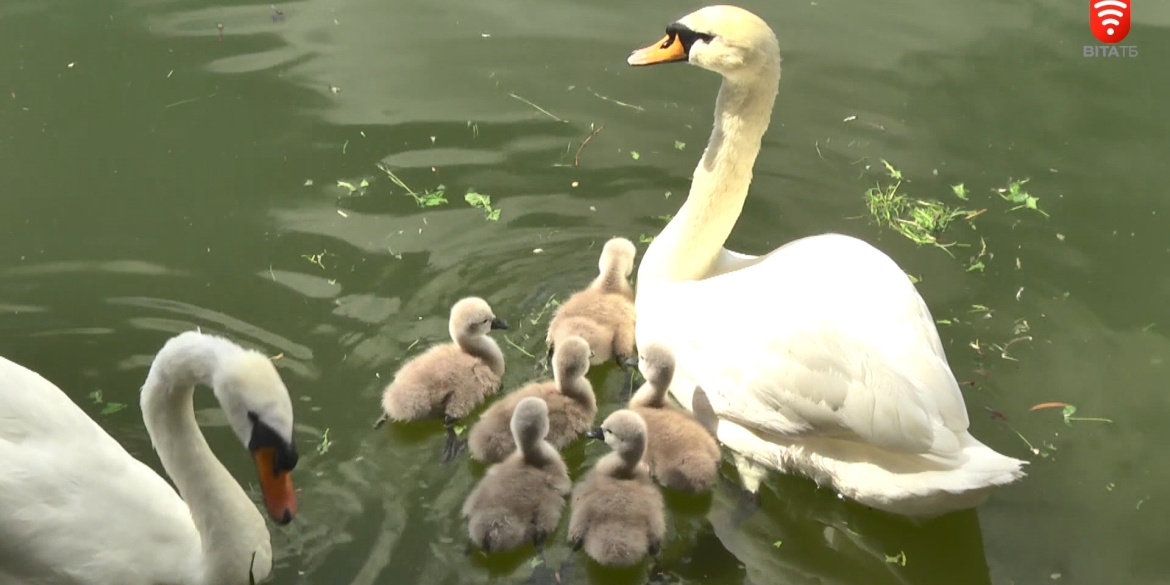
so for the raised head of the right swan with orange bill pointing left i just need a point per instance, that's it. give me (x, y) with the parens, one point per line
(724, 39)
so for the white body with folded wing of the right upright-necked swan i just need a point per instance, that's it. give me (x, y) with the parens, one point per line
(850, 350)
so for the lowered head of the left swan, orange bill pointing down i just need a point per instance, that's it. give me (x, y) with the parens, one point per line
(260, 412)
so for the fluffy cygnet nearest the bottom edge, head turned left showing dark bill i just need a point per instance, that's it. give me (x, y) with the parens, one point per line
(617, 511)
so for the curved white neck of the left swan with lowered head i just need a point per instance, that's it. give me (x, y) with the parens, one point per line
(224, 515)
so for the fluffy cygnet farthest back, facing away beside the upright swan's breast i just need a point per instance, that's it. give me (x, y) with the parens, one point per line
(603, 314)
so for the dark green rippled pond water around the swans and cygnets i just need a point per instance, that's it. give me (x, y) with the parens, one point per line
(156, 178)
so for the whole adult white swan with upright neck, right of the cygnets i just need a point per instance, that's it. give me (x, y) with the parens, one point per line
(820, 357)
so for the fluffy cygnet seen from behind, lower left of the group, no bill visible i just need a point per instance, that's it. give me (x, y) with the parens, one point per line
(521, 499)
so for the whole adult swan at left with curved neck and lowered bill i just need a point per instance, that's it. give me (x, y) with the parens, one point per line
(78, 510)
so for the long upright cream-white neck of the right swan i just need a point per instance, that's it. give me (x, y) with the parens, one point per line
(693, 240)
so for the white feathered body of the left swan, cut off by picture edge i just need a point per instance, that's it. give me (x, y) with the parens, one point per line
(75, 507)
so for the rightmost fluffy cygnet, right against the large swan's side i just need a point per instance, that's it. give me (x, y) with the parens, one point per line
(682, 453)
